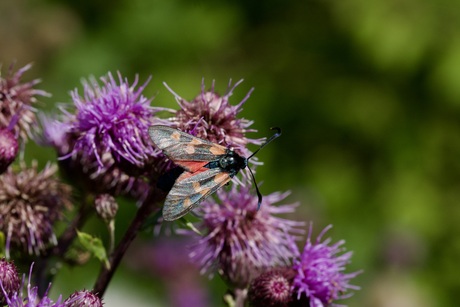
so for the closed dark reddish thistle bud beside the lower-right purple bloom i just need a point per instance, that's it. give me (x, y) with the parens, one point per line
(272, 288)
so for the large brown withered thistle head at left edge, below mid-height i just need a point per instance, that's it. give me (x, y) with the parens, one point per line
(30, 203)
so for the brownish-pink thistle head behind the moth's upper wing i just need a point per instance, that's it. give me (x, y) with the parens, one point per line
(211, 116)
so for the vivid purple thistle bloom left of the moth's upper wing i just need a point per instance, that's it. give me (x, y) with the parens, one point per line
(112, 118)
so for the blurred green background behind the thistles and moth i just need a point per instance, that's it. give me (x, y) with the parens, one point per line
(367, 94)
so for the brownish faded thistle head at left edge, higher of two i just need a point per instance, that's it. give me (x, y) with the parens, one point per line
(16, 102)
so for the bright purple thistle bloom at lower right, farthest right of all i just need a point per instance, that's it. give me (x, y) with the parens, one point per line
(320, 276)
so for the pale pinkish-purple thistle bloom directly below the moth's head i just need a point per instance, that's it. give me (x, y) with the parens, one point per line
(241, 241)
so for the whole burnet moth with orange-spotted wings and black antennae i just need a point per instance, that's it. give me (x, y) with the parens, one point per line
(206, 168)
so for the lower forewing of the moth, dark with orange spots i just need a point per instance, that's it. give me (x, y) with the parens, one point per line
(190, 189)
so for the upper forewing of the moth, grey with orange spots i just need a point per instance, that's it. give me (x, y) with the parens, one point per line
(180, 146)
